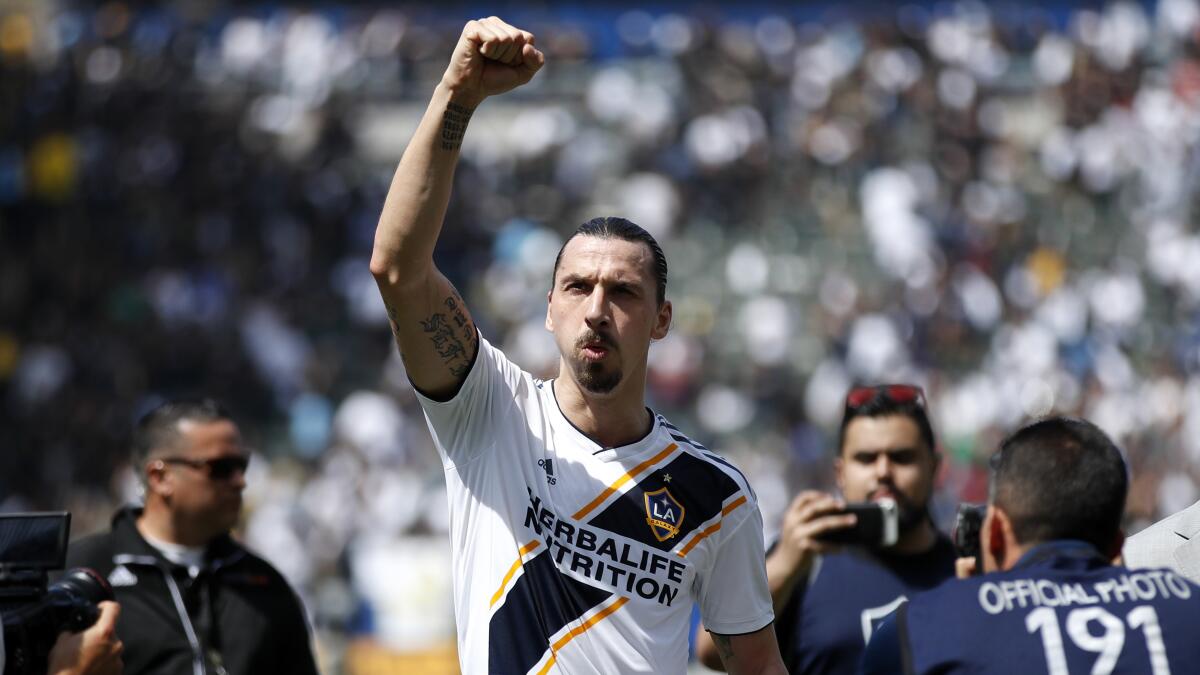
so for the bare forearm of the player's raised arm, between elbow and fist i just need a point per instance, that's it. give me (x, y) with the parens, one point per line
(421, 193)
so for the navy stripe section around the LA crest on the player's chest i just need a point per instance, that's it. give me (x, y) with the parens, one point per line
(697, 485)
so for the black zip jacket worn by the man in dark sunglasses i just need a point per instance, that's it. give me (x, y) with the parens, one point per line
(238, 617)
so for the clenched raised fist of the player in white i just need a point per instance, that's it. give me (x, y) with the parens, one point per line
(491, 58)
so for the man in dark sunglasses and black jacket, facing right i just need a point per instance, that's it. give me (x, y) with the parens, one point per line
(194, 601)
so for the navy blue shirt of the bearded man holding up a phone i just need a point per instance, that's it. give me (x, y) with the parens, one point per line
(826, 624)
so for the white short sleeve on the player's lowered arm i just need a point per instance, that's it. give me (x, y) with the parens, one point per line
(734, 596)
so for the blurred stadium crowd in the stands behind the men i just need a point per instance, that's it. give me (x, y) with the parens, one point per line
(998, 202)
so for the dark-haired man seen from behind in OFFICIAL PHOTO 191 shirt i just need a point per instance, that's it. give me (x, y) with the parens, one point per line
(1052, 601)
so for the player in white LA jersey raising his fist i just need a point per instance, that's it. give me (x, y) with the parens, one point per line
(584, 527)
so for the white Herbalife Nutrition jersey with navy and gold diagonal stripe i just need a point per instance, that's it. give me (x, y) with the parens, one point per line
(571, 558)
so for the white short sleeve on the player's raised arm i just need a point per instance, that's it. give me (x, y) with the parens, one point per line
(466, 426)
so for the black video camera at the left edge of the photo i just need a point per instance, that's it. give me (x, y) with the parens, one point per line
(34, 612)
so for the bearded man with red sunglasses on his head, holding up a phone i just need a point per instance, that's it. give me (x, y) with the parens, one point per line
(829, 599)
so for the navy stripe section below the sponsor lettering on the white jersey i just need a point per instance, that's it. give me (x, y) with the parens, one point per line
(542, 602)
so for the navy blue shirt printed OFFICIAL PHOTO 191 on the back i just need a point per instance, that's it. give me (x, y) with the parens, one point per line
(1064, 608)
